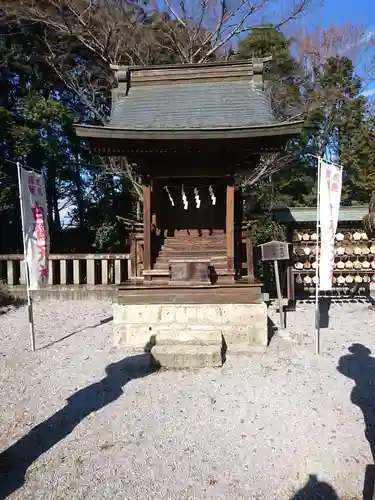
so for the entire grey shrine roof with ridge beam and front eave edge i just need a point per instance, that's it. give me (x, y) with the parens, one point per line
(213, 97)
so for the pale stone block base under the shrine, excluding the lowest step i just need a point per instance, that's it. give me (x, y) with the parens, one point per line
(239, 326)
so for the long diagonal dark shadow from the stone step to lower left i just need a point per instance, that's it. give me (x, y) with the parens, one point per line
(15, 461)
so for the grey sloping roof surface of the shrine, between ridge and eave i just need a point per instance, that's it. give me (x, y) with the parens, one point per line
(198, 105)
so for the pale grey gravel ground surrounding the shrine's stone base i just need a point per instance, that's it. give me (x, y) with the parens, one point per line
(78, 421)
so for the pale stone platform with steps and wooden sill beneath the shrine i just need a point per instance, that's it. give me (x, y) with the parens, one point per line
(190, 326)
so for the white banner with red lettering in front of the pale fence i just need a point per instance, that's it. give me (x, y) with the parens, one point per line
(34, 226)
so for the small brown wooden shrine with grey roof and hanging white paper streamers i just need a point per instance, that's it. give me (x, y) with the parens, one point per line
(189, 129)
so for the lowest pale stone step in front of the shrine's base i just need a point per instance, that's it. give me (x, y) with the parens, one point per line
(187, 356)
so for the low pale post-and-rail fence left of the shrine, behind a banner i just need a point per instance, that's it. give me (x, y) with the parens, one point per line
(71, 269)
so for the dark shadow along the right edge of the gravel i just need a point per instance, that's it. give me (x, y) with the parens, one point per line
(360, 367)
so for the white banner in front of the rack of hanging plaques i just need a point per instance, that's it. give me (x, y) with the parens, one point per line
(329, 207)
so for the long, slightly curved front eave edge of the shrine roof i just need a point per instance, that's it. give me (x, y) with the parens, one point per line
(92, 133)
